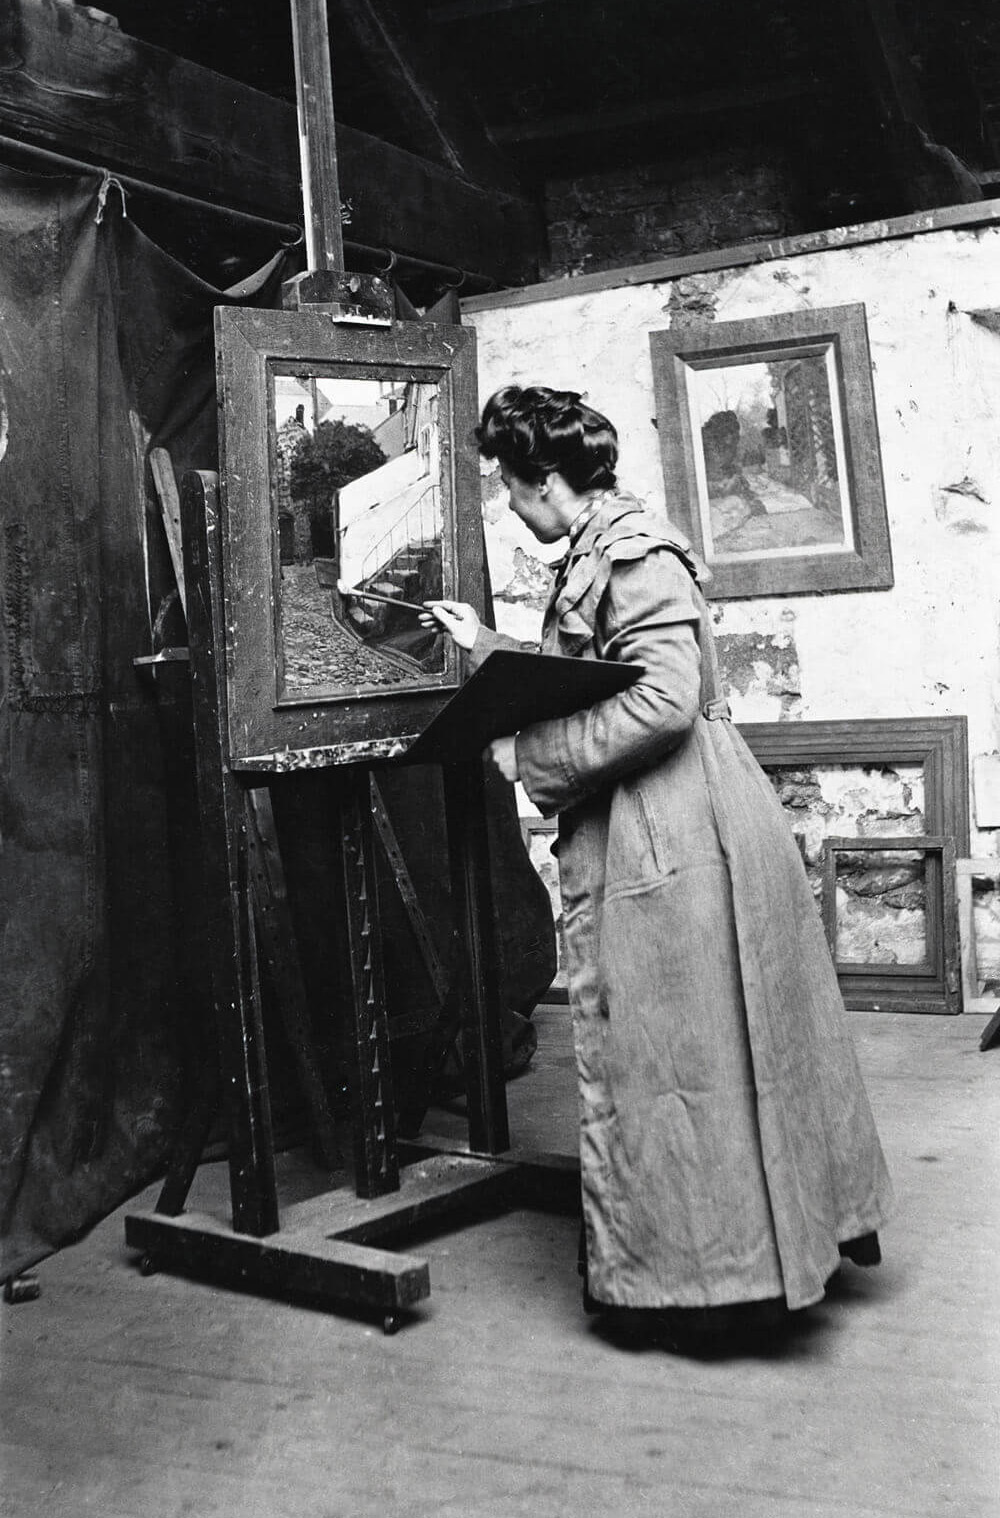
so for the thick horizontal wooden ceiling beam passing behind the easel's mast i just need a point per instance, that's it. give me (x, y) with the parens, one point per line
(74, 84)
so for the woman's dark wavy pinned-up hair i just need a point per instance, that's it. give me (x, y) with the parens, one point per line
(536, 430)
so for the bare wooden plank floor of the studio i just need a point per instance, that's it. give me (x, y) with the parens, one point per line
(133, 1397)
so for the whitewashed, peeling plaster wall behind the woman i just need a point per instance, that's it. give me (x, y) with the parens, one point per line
(931, 646)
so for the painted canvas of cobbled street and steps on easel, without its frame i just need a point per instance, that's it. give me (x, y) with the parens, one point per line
(360, 531)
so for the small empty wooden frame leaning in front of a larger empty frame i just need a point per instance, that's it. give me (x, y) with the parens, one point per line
(929, 986)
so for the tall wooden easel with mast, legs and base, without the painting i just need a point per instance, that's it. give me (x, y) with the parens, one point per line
(324, 1249)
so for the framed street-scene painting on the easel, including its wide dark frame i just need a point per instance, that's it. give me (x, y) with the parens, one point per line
(350, 493)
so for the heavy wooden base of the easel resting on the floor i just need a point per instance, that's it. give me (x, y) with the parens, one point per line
(322, 1252)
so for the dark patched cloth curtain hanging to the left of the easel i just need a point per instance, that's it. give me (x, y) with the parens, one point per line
(105, 350)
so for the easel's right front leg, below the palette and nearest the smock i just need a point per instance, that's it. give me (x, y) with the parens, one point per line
(473, 901)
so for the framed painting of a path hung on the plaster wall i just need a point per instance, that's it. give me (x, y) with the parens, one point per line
(770, 452)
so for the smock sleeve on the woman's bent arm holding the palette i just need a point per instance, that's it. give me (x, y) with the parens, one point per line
(647, 617)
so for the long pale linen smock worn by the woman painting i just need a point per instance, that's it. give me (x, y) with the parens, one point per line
(728, 1145)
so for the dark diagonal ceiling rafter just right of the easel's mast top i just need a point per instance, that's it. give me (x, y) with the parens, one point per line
(442, 124)
